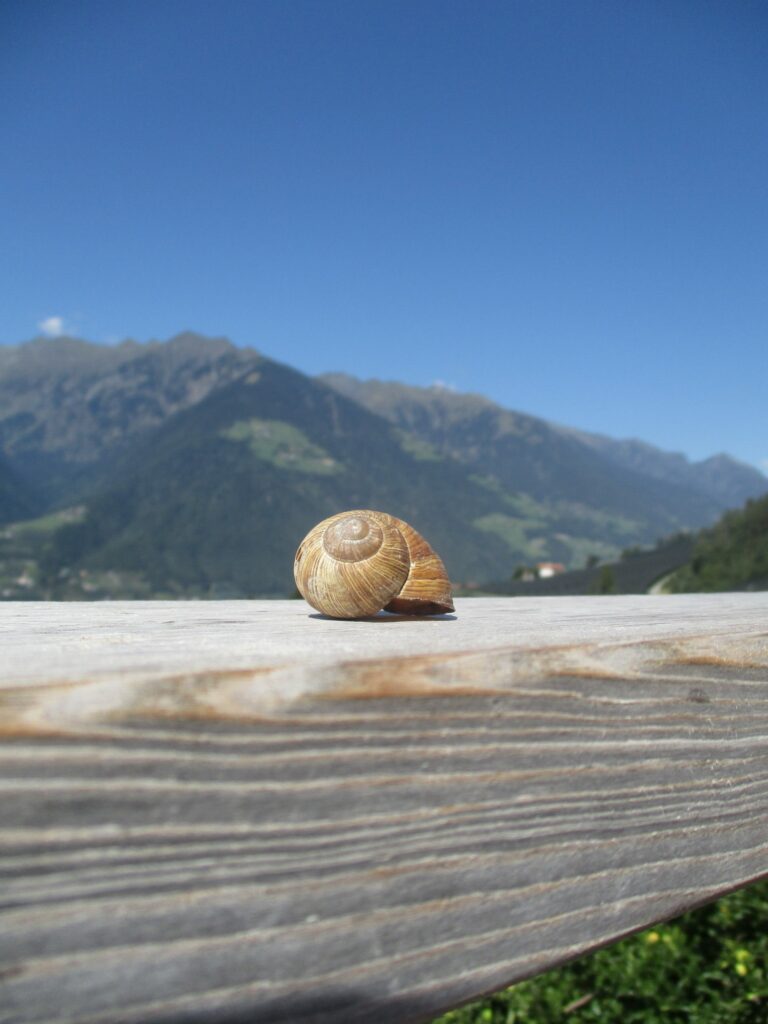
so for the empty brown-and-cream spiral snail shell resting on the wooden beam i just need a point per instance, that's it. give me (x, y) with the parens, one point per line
(356, 564)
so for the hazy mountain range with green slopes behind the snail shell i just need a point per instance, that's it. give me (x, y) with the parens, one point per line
(199, 466)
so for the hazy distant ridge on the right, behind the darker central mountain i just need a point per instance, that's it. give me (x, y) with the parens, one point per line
(653, 490)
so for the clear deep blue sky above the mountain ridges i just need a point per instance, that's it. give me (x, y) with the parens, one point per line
(563, 205)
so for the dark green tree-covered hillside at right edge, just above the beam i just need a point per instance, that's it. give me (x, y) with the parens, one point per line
(734, 556)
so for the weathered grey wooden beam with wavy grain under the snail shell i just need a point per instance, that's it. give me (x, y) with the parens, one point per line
(241, 813)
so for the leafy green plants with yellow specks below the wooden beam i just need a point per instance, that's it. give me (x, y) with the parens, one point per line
(708, 967)
